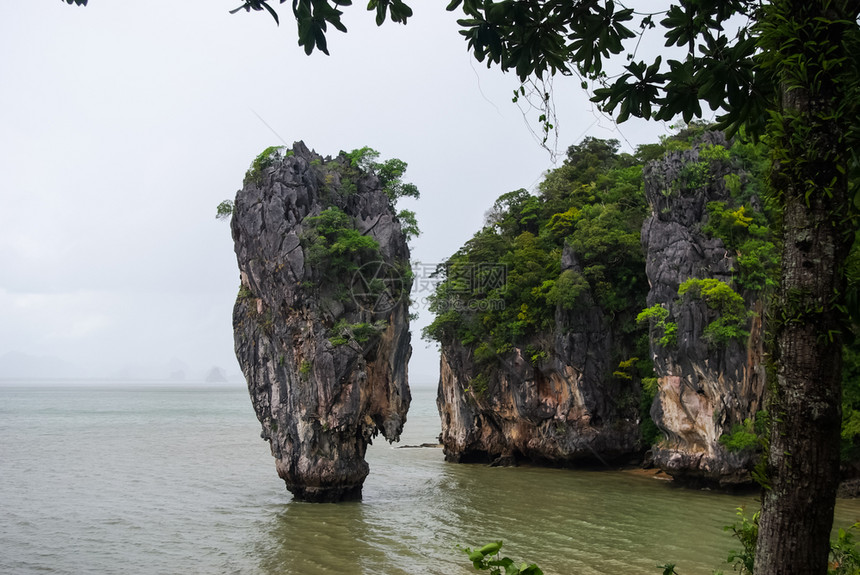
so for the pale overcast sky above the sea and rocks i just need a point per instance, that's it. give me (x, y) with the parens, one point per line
(123, 125)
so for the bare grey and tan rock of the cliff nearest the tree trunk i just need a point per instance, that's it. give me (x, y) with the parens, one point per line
(703, 389)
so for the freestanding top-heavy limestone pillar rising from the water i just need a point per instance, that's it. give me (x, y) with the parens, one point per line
(321, 321)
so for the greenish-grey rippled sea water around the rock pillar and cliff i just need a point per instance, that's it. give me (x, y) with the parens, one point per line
(120, 478)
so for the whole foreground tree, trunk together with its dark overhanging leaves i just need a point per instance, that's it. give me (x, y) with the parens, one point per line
(790, 74)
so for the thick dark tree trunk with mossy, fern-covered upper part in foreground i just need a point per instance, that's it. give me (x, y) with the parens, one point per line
(810, 160)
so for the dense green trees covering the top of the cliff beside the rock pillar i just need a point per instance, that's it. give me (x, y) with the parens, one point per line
(504, 285)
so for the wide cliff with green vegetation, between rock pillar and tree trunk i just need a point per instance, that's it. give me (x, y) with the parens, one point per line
(554, 376)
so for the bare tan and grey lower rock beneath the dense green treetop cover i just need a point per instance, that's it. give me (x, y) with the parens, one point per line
(561, 408)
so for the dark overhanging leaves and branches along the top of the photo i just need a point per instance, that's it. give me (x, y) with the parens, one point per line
(726, 52)
